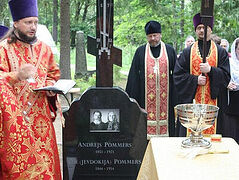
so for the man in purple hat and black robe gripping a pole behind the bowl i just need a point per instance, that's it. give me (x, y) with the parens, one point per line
(209, 88)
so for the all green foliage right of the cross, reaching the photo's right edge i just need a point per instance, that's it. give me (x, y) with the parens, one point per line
(130, 18)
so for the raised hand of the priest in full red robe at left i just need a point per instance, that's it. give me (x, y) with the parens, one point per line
(26, 71)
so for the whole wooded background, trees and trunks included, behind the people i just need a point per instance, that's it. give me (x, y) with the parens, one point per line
(65, 17)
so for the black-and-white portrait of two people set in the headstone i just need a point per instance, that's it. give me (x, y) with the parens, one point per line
(104, 120)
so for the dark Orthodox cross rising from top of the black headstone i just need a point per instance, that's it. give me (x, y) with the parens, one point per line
(102, 47)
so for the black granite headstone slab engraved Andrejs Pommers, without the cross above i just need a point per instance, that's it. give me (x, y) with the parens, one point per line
(111, 148)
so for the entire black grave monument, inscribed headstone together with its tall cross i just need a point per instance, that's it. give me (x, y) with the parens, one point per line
(105, 133)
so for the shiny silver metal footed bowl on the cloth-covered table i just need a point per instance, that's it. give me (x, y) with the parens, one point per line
(196, 117)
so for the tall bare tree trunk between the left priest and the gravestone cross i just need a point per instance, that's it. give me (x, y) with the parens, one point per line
(65, 40)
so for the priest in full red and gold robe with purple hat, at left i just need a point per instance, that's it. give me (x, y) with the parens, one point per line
(28, 148)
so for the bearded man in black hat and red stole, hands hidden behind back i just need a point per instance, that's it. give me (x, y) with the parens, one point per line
(150, 81)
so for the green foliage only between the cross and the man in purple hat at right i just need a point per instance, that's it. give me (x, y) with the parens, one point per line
(130, 21)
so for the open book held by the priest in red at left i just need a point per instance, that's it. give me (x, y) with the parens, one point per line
(62, 86)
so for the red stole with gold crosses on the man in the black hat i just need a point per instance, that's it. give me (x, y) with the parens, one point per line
(157, 91)
